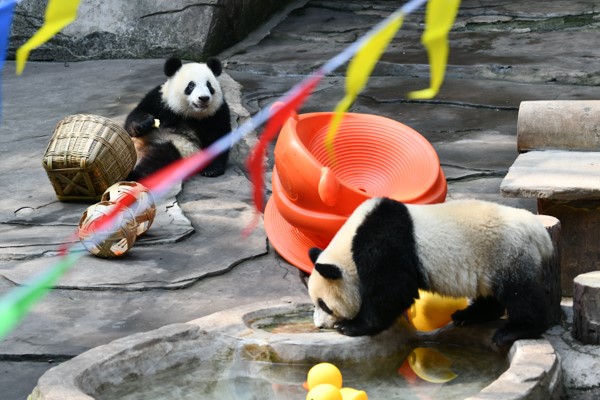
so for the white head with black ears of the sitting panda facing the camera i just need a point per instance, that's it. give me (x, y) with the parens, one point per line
(192, 90)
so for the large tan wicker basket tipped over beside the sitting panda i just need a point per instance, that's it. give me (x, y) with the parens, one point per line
(86, 155)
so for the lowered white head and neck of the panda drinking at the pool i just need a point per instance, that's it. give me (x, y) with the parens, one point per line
(334, 285)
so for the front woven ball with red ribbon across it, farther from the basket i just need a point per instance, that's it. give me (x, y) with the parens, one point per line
(123, 229)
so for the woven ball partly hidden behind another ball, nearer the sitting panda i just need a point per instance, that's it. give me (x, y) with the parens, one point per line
(141, 202)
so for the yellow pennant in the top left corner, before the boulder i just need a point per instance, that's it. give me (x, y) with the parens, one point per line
(59, 13)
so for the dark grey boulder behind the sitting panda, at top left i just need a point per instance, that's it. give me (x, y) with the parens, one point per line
(109, 29)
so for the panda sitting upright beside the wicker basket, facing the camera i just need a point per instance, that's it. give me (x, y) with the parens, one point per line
(186, 113)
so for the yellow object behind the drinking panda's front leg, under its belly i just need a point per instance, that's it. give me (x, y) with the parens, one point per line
(432, 311)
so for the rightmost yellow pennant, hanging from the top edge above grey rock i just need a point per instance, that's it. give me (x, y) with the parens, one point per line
(439, 17)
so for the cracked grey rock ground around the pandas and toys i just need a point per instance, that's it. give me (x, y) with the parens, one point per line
(194, 262)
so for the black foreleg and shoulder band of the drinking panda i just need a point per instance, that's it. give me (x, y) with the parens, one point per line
(385, 255)
